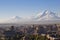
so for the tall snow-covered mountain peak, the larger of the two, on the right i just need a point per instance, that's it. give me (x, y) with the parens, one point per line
(47, 15)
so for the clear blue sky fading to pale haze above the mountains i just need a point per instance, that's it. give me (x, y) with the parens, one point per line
(9, 8)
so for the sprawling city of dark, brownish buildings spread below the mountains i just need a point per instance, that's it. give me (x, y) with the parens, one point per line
(30, 32)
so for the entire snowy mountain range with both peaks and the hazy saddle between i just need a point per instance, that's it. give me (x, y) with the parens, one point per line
(44, 17)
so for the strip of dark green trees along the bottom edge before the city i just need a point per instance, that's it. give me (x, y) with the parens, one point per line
(25, 37)
